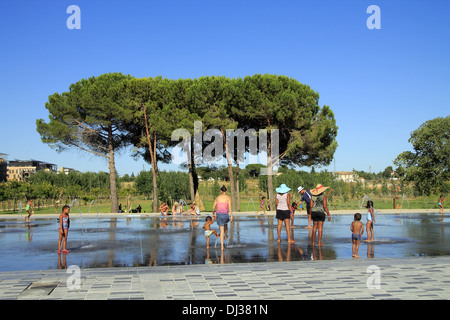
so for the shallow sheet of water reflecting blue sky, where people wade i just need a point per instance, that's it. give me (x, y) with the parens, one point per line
(138, 241)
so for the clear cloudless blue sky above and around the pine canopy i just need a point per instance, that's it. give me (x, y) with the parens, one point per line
(381, 84)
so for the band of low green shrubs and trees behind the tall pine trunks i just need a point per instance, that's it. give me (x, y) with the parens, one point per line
(49, 188)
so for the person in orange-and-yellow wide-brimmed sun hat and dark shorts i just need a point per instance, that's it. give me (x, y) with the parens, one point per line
(318, 212)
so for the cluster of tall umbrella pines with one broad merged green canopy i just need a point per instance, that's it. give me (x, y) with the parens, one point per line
(103, 114)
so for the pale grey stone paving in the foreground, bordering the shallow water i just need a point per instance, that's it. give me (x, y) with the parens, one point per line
(400, 278)
